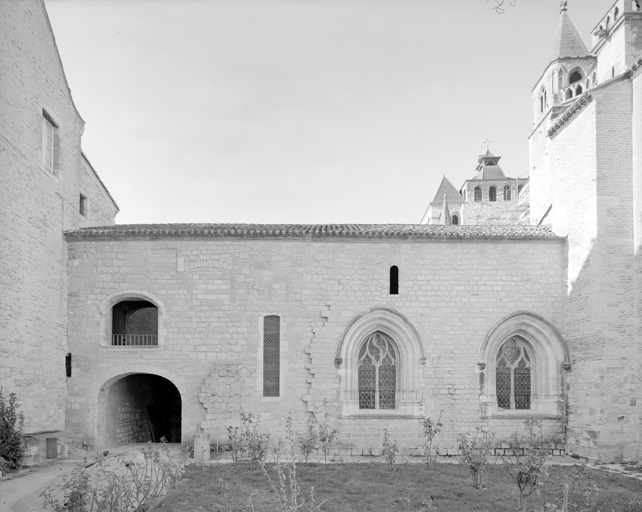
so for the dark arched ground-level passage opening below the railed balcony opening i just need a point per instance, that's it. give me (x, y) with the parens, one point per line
(137, 408)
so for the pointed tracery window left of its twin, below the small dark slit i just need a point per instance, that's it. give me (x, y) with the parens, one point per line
(377, 372)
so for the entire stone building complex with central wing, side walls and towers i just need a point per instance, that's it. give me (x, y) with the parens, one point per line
(124, 333)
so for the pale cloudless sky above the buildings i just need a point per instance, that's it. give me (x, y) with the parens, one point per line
(301, 111)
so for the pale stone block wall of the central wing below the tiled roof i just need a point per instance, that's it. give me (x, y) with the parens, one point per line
(212, 296)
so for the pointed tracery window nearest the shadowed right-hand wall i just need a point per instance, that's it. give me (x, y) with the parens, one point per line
(513, 375)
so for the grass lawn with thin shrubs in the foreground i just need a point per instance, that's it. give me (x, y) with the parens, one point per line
(372, 487)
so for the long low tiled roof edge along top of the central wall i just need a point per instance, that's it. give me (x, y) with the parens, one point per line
(309, 232)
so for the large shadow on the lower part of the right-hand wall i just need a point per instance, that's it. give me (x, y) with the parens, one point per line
(604, 382)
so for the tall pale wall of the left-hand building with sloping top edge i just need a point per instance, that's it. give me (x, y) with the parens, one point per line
(36, 206)
